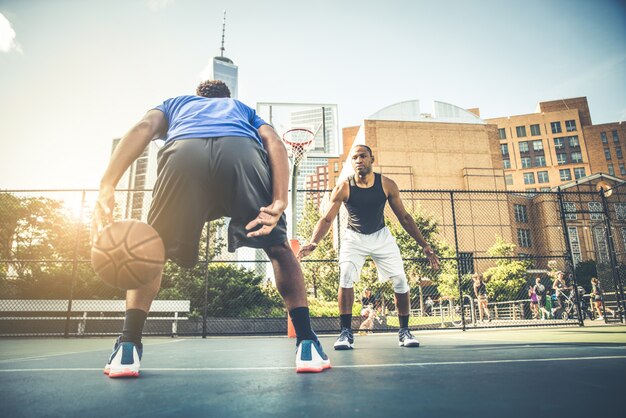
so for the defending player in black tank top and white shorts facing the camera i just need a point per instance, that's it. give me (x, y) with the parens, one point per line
(364, 196)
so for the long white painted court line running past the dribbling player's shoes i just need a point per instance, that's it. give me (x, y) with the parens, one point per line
(356, 366)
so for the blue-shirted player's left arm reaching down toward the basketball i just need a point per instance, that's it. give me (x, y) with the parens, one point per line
(152, 126)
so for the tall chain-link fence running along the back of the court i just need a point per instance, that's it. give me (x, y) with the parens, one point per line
(516, 241)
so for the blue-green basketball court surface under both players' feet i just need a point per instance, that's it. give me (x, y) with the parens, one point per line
(564, 372)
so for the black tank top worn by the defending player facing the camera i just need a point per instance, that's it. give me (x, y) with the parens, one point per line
(366, 206)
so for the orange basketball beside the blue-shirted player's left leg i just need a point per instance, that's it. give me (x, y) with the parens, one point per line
(129, 254)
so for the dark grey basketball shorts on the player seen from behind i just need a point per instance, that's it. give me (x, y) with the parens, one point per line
(203, 179)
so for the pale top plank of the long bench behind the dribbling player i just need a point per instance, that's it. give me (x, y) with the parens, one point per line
(86, 305)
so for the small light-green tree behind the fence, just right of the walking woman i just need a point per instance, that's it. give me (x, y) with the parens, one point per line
(507, 279)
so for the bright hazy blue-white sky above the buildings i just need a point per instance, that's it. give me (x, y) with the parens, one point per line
(75, 74)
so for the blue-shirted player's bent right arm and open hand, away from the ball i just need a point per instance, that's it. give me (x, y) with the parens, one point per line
(279, 165)
